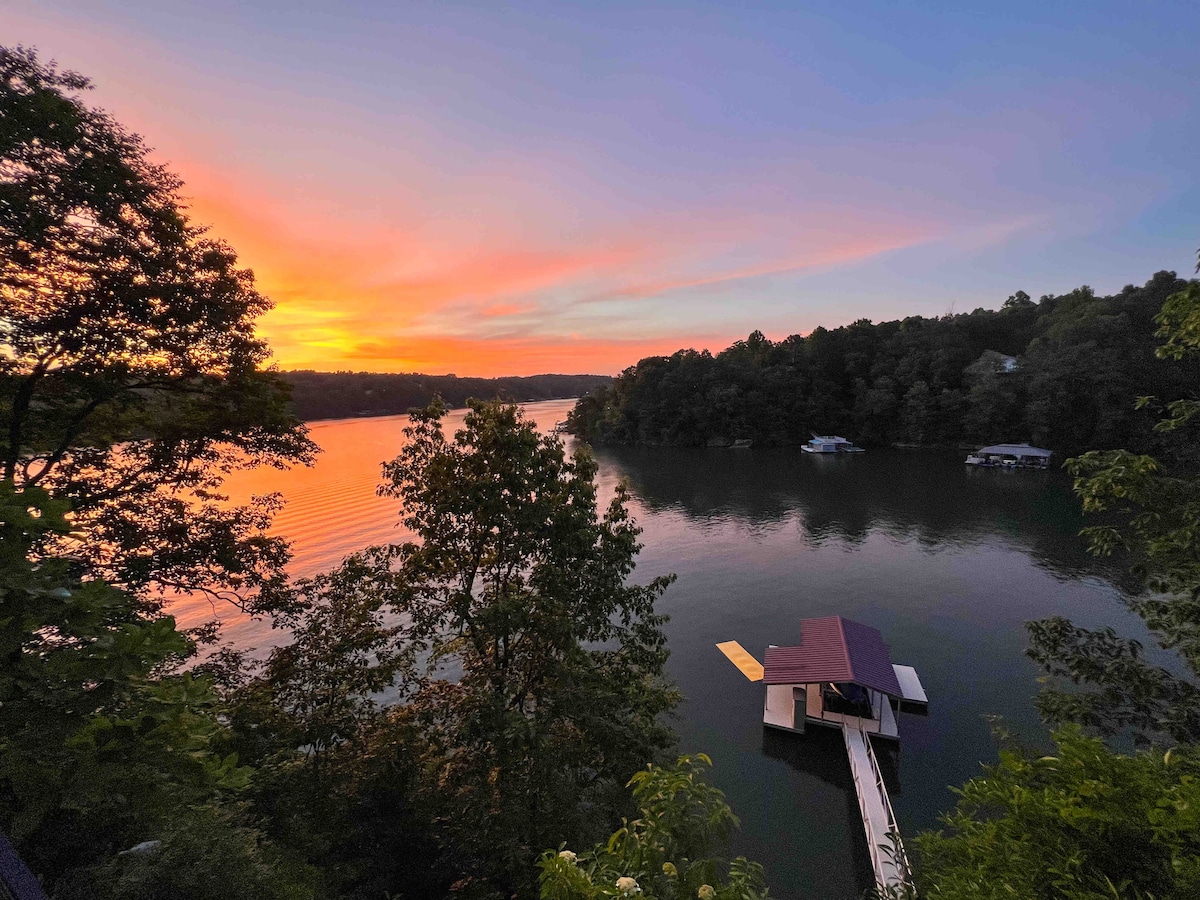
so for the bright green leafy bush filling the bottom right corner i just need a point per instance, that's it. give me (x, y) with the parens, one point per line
(1085, 824)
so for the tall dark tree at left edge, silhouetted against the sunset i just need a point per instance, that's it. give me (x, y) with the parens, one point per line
(130, 371)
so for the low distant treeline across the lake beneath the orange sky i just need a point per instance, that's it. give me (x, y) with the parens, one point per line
(340, 395)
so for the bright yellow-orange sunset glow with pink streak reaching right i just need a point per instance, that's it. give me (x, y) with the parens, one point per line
(387, 299)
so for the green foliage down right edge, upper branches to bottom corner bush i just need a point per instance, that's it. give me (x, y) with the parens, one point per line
(1089, 823)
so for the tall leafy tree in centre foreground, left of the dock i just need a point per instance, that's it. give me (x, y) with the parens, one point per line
(519, 586)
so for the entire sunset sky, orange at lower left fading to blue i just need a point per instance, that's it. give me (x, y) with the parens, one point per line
(568, 188)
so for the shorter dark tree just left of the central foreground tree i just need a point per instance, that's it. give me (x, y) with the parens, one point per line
(327, 724)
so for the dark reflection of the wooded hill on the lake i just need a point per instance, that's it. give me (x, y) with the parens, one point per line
(928, 497)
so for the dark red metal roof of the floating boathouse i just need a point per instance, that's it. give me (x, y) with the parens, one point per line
(835, 650)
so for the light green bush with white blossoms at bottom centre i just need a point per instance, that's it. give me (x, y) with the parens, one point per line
(668, 853)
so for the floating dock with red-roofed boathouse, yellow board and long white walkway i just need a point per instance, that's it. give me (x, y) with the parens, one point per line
(841, 676)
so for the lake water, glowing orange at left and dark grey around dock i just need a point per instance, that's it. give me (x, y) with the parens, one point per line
(946, 561)
